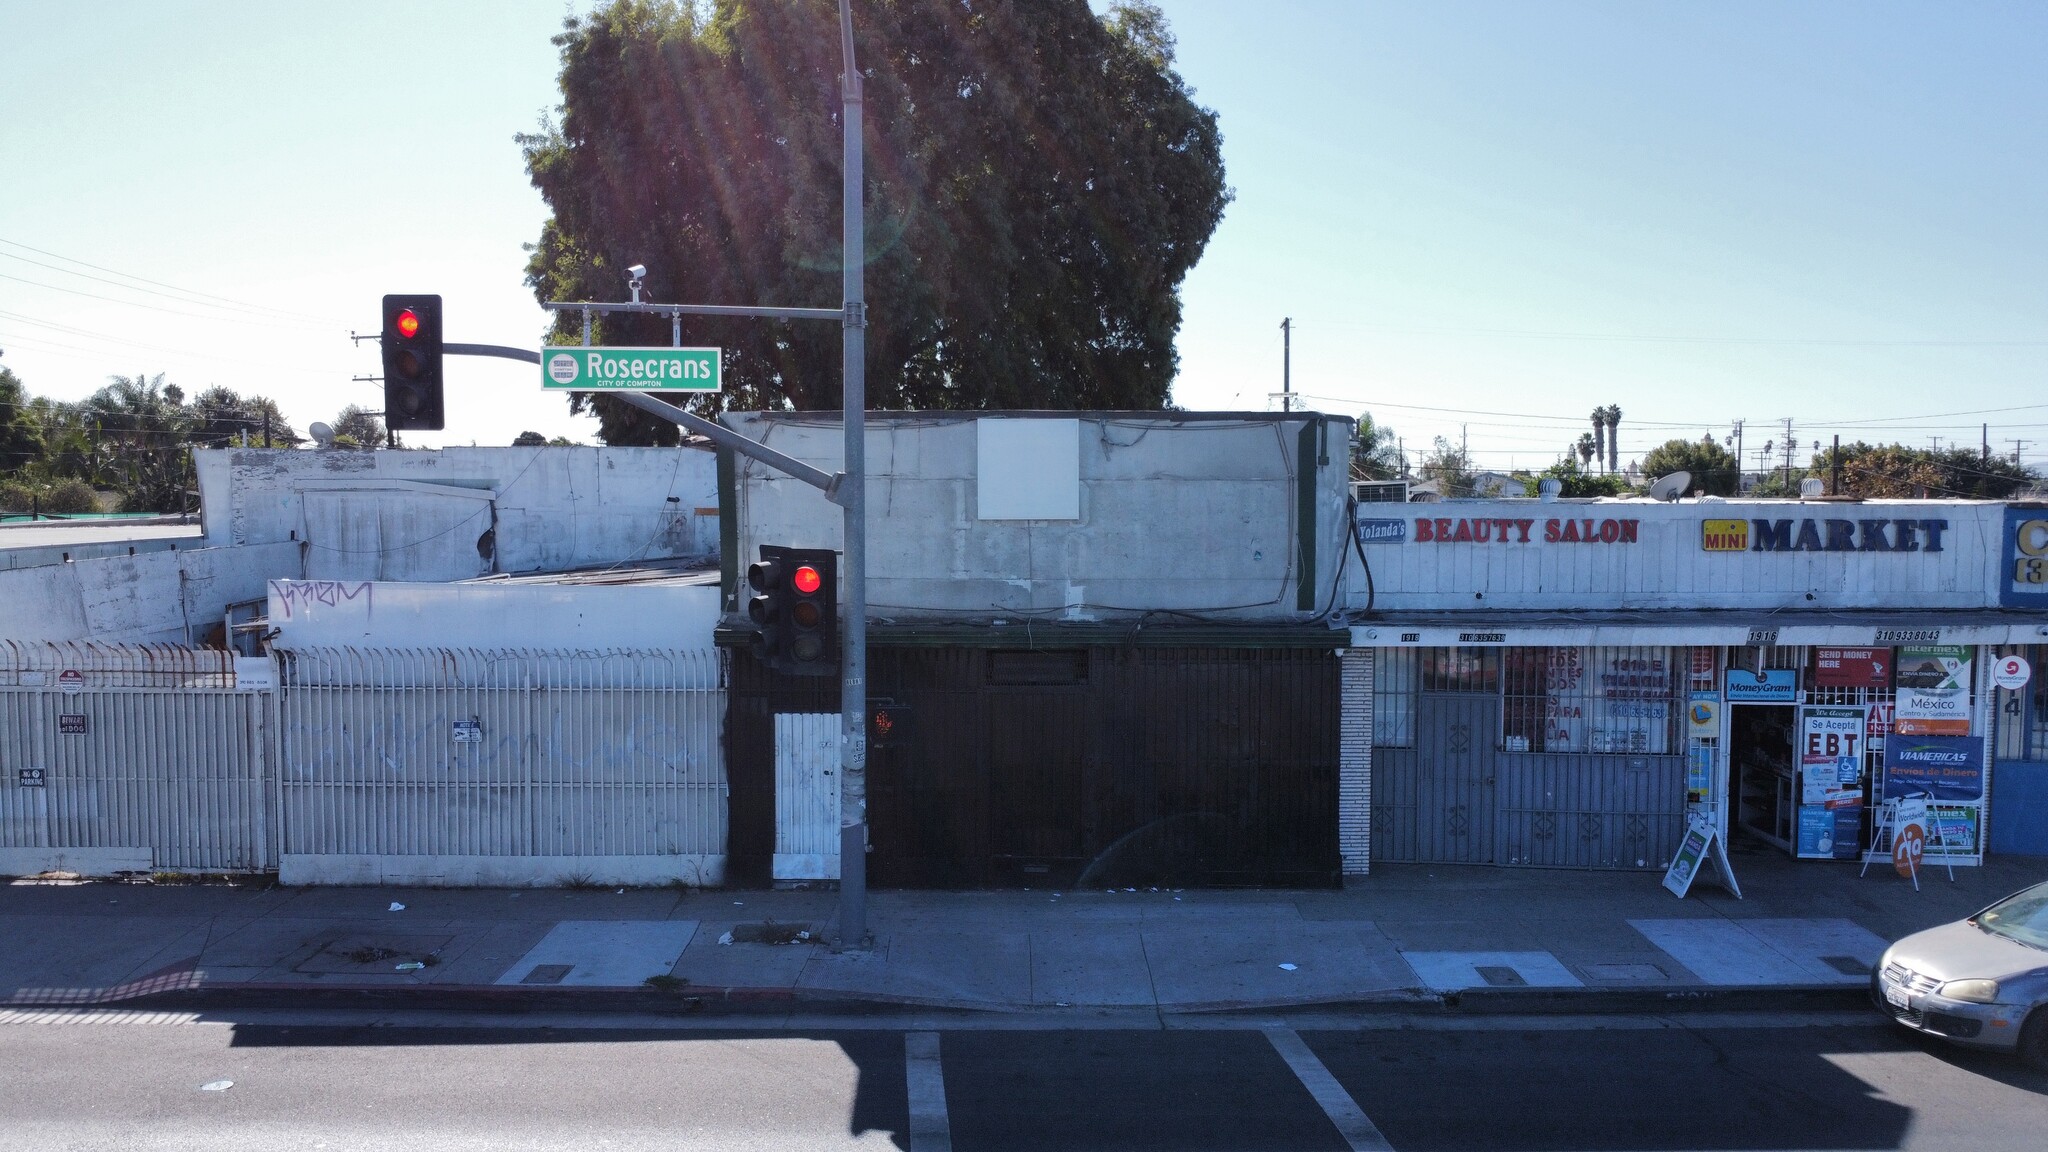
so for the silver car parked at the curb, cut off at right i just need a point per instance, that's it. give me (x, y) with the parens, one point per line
(1979, 981)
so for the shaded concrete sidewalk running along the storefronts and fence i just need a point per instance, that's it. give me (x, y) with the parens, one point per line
(1408, 936)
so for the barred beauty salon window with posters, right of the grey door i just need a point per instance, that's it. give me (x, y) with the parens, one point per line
(1590, 700)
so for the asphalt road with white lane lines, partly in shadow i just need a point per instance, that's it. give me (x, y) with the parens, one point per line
(124, 1081)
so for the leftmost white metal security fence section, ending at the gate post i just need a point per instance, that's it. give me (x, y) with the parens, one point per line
(132, 759)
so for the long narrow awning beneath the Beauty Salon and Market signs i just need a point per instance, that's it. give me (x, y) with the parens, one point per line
(1701, 628)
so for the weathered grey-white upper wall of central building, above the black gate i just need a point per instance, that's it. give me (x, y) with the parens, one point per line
(1193, 516)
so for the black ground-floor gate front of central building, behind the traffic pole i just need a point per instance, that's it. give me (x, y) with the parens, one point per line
(1084, 766)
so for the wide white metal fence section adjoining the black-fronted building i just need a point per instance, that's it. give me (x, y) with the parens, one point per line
(503, 766)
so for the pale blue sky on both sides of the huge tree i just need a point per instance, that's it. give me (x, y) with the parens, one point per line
(1484, 218)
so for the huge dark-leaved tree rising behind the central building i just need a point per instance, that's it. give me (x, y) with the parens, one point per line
(1039, 181)
